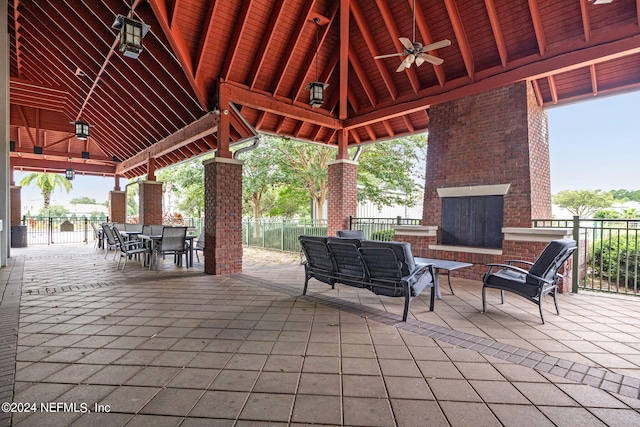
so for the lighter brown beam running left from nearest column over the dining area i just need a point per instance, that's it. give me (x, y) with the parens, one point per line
(206, 125)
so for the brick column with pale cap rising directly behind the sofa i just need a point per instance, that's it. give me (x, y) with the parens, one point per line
(342, 201)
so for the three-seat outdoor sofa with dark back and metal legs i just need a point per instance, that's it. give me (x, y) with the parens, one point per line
(384, 268)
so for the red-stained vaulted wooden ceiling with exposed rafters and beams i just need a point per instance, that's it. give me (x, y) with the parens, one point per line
(65, 65)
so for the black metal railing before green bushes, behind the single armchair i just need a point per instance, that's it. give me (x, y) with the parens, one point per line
(608, 255)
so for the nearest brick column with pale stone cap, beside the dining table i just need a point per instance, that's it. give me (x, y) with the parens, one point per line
(223, 216)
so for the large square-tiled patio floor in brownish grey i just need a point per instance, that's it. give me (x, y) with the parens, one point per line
(178, 347)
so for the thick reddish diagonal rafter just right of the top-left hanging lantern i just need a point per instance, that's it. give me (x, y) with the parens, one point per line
(178, 46)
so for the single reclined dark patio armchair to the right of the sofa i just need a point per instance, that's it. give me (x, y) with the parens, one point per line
(539, 280)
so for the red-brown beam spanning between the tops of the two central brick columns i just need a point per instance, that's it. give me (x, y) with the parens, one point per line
(270, 104)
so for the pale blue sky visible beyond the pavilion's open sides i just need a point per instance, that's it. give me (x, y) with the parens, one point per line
(594, 144)
